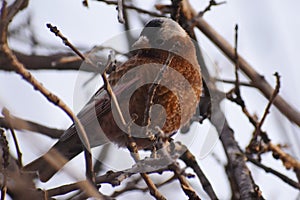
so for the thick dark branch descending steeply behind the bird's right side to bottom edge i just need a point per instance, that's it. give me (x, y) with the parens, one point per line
(241, 173)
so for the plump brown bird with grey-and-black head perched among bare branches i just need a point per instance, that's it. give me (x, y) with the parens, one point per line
(157, 89)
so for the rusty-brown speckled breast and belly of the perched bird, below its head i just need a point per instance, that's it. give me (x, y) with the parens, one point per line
(165, 95)
